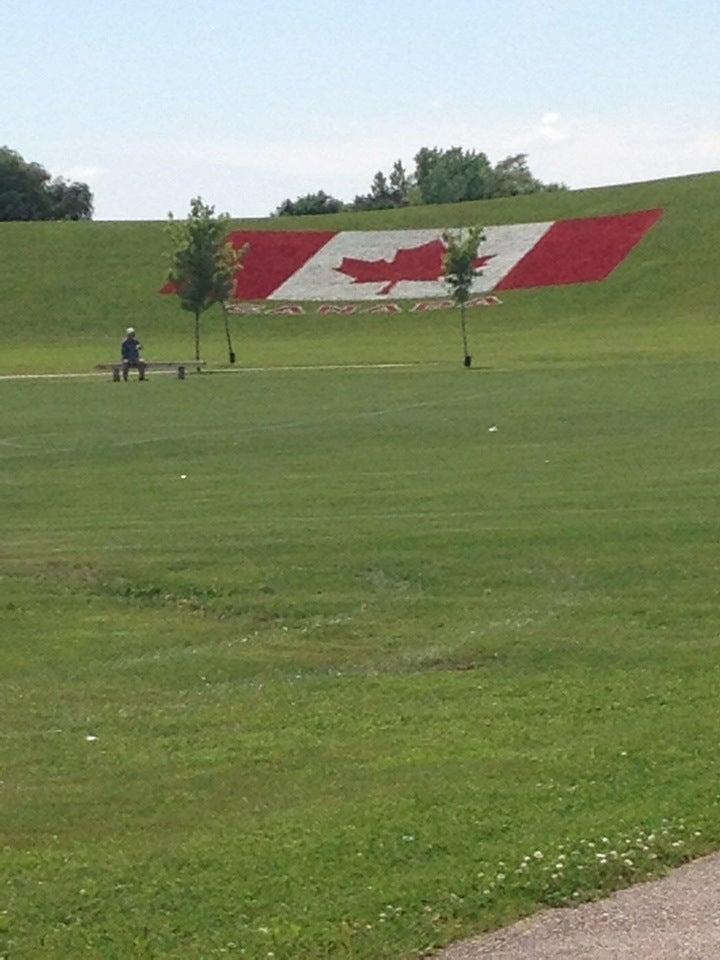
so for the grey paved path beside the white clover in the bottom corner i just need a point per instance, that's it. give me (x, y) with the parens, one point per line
(676, 918)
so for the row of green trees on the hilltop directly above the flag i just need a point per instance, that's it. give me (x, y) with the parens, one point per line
(440, 176)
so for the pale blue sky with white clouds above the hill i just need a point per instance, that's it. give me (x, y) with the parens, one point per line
(247, 102)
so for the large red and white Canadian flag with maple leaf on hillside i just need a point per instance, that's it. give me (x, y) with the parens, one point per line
(374, 265)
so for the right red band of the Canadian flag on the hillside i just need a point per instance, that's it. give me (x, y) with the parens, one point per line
(580, 251)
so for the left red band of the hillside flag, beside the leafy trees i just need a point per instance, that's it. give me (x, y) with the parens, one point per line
(272, 257)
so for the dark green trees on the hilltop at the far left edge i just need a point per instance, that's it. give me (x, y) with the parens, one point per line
(27, 192)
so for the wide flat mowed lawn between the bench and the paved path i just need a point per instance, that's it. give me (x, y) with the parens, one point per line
(373, 675)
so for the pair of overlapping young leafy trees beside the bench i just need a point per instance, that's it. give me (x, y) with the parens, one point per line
(203, 262)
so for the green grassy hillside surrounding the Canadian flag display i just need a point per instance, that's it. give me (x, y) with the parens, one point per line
(68, 290)
